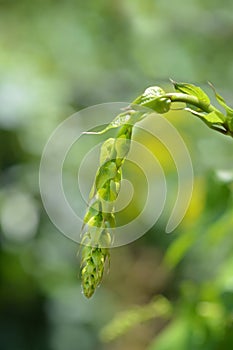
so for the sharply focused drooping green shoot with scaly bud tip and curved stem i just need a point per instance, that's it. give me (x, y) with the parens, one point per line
(100, 215)
